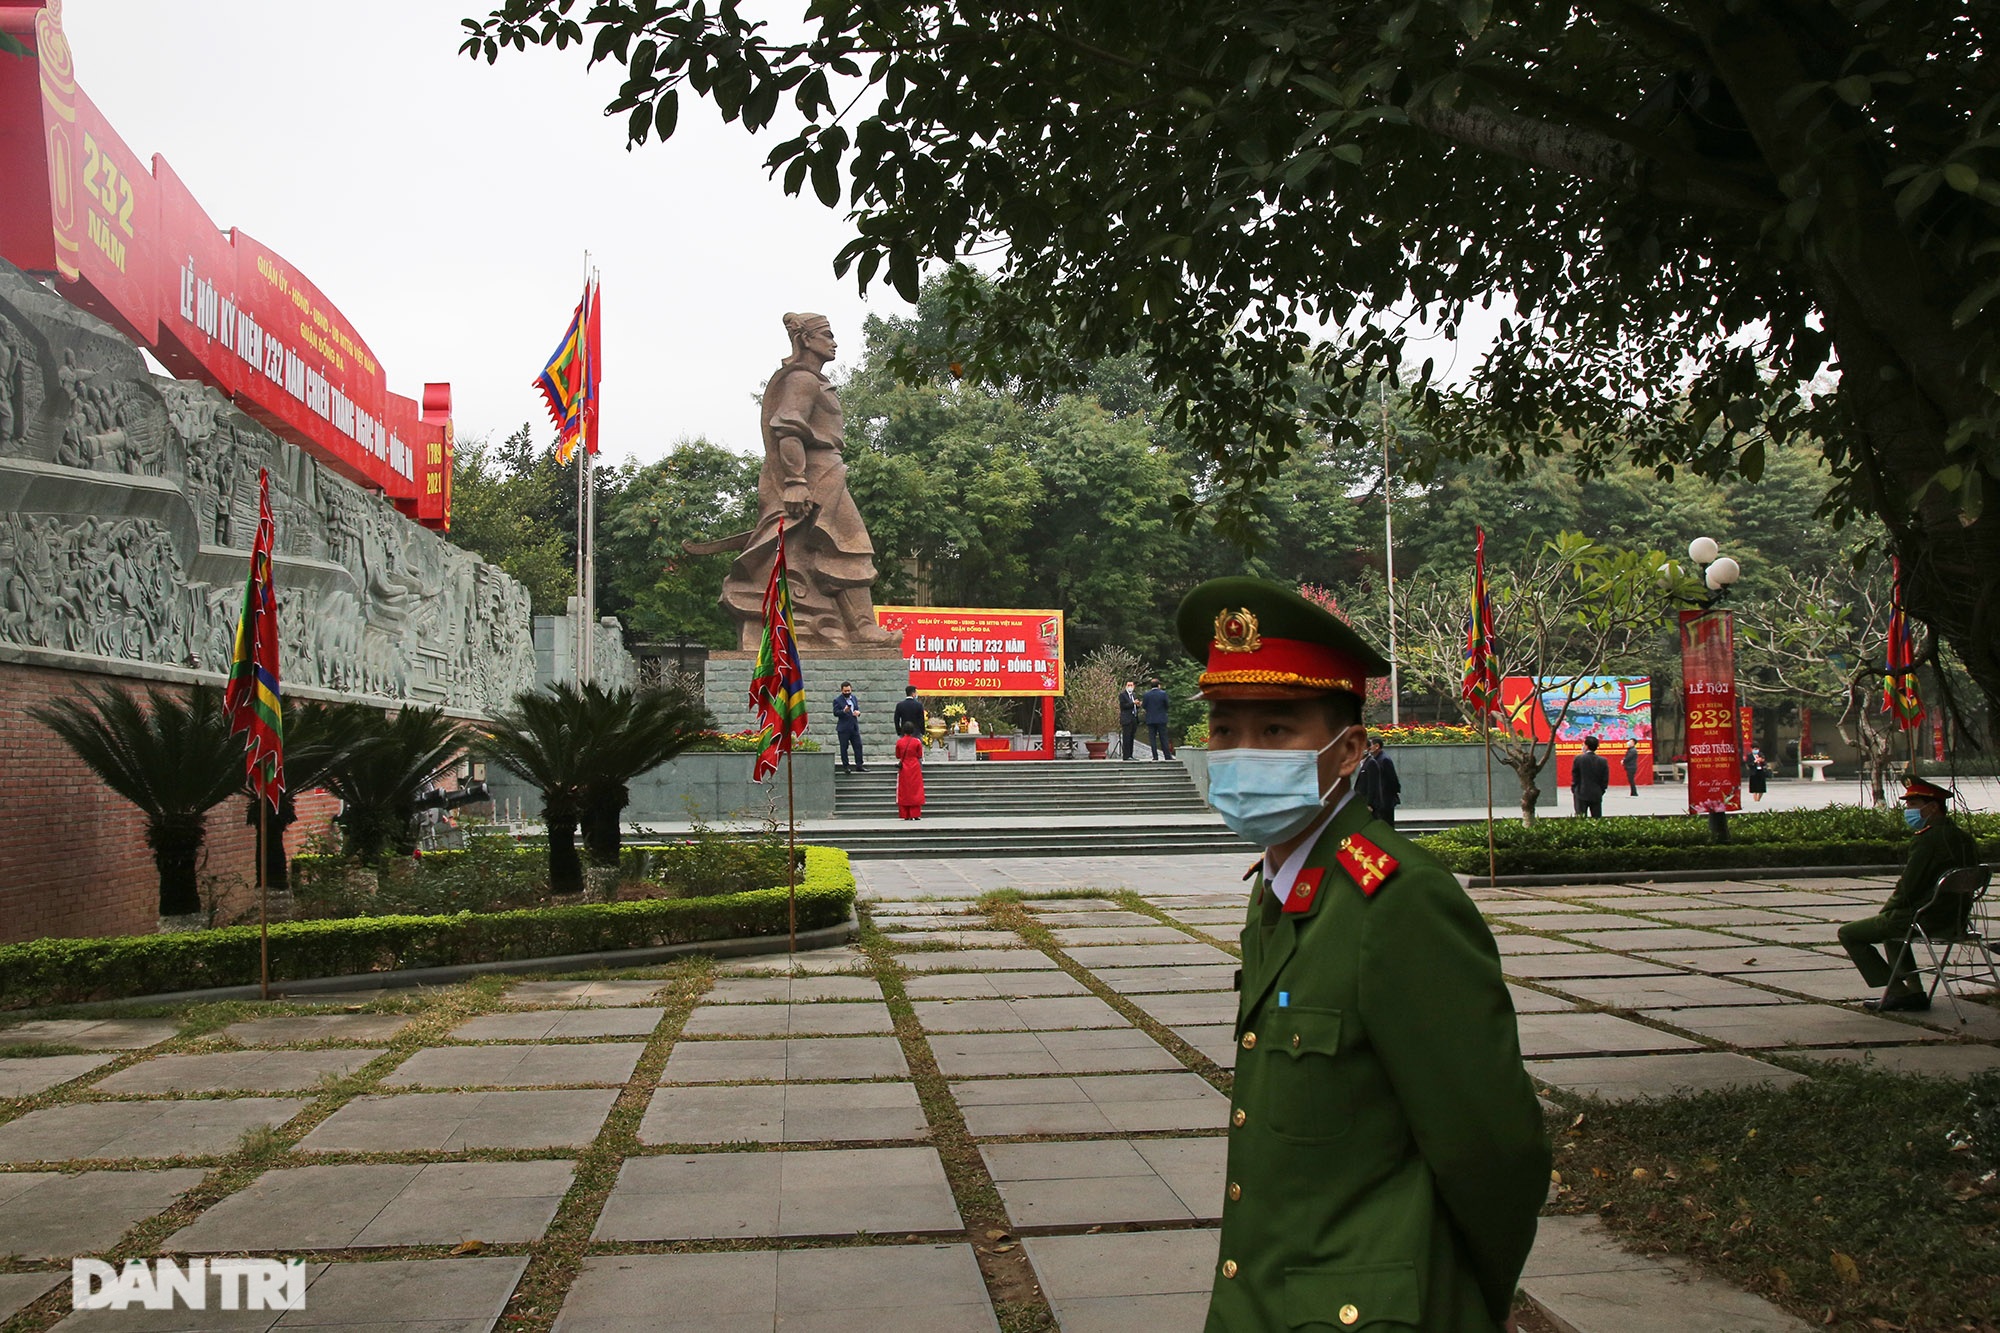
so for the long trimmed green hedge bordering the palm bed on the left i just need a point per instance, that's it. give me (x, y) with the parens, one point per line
(63, 972)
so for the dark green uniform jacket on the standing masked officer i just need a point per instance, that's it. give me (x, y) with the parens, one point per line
(1387, 1154)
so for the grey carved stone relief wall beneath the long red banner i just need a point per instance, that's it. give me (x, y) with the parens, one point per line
(127, 515)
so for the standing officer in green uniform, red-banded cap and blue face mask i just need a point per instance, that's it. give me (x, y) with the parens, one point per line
(1387, 1152)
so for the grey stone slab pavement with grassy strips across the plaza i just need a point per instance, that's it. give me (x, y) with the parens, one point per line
(767, 1150)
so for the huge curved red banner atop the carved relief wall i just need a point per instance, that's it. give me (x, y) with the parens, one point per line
(133, 247)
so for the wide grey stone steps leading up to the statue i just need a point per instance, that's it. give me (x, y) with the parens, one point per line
(1057, 808)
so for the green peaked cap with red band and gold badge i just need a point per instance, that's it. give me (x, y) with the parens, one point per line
(1265, 641)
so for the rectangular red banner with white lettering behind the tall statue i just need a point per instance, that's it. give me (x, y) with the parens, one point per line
(975, 651)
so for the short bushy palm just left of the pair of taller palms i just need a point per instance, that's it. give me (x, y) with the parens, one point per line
(383, 774)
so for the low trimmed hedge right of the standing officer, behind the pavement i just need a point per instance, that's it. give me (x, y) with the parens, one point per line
(1639, 844)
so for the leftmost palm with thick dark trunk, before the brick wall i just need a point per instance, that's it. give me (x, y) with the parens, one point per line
(173, 760)
